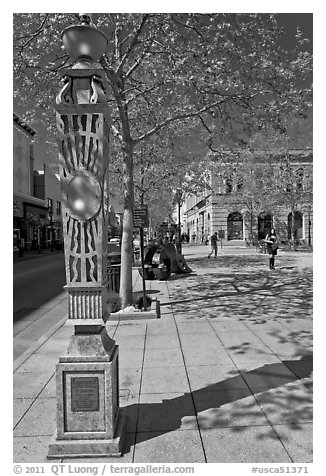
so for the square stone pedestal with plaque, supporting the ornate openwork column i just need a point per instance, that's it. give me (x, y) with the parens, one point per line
(89, 422)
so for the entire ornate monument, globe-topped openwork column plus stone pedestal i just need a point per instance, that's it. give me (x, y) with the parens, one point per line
(88, 418)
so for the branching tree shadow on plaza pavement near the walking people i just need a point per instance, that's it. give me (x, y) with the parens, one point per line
(247, 293)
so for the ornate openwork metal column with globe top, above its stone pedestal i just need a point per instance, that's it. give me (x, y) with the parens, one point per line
(83, 126)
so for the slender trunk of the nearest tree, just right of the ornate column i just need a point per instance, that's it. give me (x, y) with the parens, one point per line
(127, 232)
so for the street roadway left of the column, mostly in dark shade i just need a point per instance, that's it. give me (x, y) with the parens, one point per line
(37, 289)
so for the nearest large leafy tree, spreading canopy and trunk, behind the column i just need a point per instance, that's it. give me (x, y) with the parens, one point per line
(222, 76)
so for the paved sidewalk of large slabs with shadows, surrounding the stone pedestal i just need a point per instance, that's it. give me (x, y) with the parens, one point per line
(223, 376)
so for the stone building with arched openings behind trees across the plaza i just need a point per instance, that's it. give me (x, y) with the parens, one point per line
(224, 205)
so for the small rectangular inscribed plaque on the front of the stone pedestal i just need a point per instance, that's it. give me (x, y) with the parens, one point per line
(85, 394)
